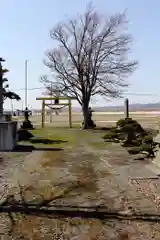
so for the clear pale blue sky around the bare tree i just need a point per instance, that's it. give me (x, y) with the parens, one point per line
(25, 29)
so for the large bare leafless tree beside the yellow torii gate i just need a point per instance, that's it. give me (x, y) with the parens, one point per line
(91, 57)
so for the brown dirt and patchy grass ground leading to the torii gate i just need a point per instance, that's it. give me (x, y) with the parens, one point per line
(81, 171)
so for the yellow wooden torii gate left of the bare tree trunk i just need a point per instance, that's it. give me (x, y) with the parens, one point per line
(69, 104)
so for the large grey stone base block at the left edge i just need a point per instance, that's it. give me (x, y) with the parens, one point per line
(8, 135)
